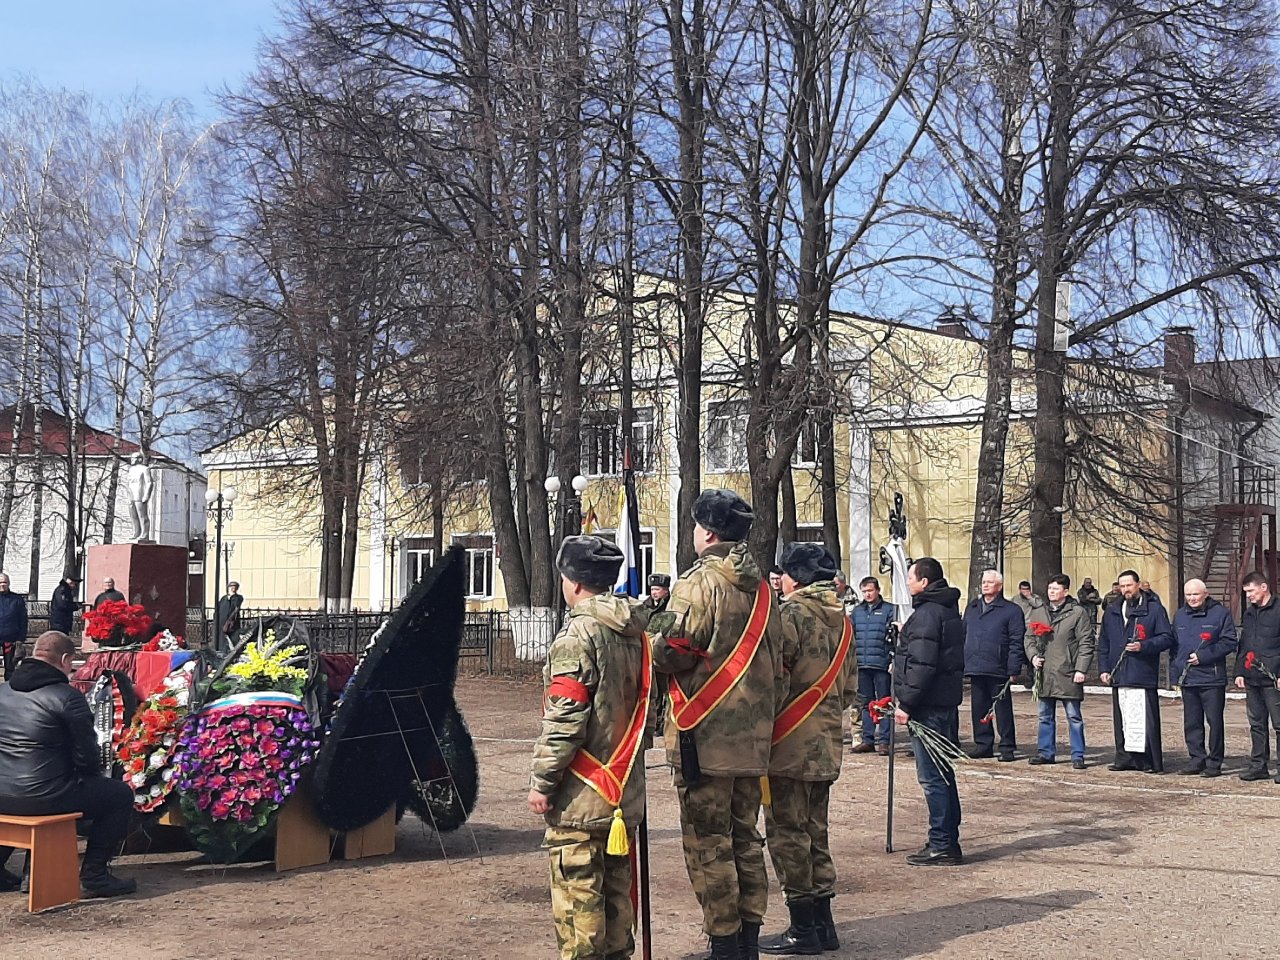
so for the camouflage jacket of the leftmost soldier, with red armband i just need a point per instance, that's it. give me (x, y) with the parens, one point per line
(601, 647)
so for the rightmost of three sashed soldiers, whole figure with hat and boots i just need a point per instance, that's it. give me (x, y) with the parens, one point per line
(807, 761)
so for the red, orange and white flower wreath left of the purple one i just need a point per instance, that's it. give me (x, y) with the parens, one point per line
(148, 748)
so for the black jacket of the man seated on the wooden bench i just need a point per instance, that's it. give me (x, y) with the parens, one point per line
(47, 734)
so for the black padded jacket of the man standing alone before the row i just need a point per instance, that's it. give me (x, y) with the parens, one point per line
(929, 665)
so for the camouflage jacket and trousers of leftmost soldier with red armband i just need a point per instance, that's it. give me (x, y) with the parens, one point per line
(601, 648)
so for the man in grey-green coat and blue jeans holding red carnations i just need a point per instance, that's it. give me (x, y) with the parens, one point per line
(1060, 657)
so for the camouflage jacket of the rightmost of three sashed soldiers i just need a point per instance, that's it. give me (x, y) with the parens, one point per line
(815, 620)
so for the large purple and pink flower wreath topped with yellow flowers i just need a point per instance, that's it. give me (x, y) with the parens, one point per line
(243, 755)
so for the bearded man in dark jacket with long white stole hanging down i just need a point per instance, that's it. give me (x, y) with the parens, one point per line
(1135, 633)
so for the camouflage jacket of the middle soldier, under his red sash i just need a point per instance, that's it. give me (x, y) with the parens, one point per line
(708, 611)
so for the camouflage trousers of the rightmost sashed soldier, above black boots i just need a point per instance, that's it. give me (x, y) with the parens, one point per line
(797, 828)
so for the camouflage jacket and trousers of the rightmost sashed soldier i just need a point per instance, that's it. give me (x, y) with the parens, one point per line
(804, 765)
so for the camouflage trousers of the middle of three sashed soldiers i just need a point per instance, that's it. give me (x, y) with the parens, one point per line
(724, 851)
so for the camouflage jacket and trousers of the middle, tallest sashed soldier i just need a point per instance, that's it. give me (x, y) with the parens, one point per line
(706, 616)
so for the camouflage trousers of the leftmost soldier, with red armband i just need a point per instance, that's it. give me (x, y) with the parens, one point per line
(591, 897)
